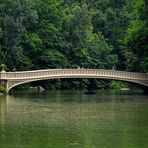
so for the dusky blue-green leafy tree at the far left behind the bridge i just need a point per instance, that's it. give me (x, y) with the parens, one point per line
(14, 15)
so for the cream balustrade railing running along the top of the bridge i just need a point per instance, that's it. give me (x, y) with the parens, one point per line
(72, 72)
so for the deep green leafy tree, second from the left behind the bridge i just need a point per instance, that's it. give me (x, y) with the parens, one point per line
(46, 41)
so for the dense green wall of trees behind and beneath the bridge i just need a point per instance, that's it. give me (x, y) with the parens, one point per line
(42, 34)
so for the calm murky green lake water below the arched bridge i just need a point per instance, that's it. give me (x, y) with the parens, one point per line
(71, 119)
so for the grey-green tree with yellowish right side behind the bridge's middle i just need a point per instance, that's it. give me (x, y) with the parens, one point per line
(86, 48)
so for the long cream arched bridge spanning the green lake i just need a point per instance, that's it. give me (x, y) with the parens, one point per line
(9, 80)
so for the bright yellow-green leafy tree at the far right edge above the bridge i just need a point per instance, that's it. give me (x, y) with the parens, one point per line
(137, 38)
